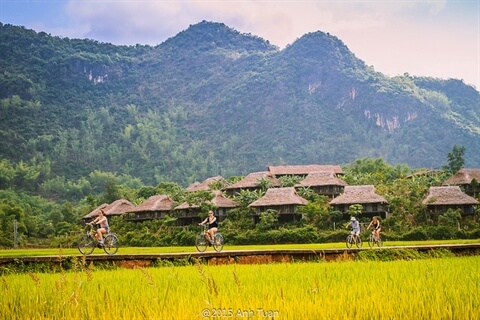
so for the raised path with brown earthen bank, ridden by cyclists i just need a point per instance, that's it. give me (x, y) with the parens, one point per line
(228, 256)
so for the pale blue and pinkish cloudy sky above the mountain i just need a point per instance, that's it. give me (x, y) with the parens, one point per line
(436, 38)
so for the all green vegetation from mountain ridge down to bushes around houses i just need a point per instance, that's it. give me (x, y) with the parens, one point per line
(84, 123)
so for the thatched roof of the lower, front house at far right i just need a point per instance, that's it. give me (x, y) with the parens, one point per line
(451, 195)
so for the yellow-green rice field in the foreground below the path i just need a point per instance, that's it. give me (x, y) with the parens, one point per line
(446, 288)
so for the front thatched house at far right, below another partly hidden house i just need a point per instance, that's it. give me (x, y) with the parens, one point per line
(440, 199)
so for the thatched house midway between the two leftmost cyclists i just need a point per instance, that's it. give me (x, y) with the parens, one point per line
(155, 207)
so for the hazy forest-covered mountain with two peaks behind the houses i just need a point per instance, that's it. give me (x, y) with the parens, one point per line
(212, 101)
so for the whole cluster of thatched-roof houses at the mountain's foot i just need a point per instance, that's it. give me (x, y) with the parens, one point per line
(322, 179)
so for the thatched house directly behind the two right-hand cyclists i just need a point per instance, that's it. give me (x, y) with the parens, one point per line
(372, 203)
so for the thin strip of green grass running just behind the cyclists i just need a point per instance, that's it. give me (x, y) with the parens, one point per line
(155, 250)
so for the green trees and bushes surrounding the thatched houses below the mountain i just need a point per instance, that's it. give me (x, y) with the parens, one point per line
(43, 221)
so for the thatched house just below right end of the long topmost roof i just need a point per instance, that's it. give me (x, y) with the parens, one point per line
(323, 183)
